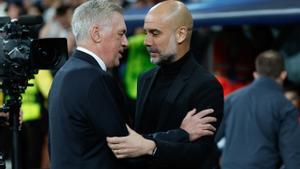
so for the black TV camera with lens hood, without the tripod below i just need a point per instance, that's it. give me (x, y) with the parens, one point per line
(21, 56)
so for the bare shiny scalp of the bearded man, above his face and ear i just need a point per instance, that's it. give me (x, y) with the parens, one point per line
(174, 12)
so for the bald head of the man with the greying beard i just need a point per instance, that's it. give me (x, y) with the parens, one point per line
(168, 27)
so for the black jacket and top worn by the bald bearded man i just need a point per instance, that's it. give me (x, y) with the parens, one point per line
(192, 87)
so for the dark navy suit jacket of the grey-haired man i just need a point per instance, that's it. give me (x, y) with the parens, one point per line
(85, 106)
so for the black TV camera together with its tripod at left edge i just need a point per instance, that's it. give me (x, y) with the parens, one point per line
(21, 57)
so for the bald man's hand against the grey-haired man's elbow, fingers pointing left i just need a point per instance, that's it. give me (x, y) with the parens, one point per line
(133, 145)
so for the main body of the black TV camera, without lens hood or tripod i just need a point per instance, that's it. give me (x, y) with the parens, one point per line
(15, 56)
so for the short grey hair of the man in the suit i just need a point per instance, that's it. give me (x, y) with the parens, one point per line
(90, 13)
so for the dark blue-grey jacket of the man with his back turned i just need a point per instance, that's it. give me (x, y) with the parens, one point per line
(261, 128)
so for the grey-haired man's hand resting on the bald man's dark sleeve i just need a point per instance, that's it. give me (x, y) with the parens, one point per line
(198, 124)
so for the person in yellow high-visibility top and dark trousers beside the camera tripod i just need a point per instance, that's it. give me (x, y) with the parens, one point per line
(35, 122)
